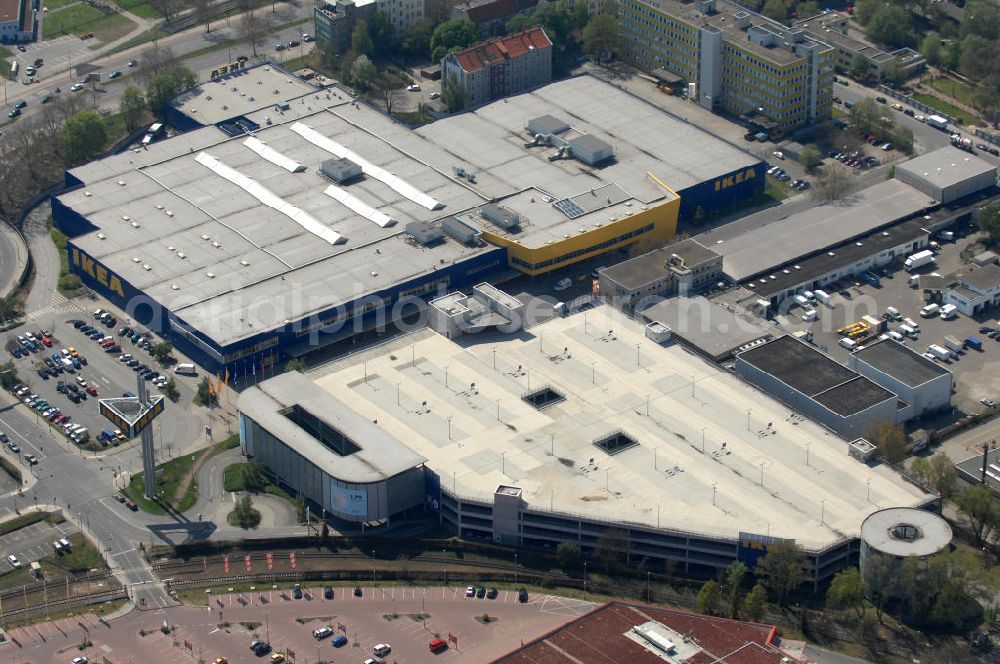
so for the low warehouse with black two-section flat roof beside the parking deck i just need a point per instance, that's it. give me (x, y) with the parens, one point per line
(818, 387)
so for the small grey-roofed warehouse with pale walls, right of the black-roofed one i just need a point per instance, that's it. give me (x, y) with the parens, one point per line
(923, 384)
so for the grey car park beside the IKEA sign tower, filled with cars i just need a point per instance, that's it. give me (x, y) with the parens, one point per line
(106, 377)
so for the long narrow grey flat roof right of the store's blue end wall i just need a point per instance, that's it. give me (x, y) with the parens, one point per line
(748, 253)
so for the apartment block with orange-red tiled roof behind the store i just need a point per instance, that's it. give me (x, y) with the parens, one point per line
(501, 67)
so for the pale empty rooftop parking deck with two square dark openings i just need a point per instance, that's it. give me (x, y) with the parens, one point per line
(550, 455)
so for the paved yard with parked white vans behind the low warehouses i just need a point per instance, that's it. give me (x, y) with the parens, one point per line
(977, 374)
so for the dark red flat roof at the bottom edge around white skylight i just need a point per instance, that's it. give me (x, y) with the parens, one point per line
(598, 638)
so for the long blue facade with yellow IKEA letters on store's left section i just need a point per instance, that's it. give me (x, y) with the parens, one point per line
(247, 360)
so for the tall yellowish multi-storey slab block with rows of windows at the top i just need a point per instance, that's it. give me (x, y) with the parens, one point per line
(737, 61)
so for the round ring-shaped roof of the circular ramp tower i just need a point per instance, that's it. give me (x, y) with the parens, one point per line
(880, 532)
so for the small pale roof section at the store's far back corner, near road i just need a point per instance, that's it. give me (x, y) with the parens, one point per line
(252, 89)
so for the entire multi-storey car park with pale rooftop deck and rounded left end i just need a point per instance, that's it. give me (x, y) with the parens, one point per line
(581, 429)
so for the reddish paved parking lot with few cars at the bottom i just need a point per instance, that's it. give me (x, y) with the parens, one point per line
(405, 618)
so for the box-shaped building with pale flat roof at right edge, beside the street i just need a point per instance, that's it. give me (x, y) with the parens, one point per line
(947, 174)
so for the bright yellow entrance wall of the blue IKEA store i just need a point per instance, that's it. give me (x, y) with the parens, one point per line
(580, 246)
